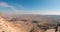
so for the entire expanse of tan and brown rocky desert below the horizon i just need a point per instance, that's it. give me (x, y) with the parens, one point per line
(28, 23)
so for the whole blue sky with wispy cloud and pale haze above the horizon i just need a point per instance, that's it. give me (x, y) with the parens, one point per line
(44, 7)
